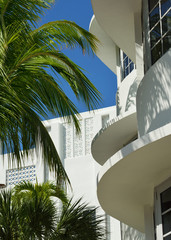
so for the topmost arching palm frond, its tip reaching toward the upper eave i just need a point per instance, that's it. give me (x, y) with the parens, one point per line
(64, 34)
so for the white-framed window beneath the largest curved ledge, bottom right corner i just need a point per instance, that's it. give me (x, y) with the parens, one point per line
(163, 211)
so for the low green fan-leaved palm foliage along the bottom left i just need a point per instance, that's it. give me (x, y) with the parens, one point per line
(35, 212)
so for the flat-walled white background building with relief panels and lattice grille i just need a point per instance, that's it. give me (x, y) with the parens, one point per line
(75, 153)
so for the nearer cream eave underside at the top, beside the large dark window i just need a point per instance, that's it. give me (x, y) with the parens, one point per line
(116, 18)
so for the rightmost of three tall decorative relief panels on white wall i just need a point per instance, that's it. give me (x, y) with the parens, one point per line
(88, 134)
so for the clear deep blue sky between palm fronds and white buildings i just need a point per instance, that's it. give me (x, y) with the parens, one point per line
(80, 11)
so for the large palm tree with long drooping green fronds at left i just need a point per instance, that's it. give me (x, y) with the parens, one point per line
(29, 91)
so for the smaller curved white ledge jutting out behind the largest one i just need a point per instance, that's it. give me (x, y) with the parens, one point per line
(116, 133)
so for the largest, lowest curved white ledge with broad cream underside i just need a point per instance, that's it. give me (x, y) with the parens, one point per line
(127, 180)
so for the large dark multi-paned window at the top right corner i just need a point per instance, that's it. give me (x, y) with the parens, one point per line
(160, 27)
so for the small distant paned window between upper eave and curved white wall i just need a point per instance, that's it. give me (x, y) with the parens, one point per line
(127, 65)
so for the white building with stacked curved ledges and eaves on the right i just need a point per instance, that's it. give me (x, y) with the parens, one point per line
(134, 149)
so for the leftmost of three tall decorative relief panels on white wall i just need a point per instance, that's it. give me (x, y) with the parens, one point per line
(67, 140)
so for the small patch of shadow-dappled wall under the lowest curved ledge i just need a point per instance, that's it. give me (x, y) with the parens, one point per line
(129, 233)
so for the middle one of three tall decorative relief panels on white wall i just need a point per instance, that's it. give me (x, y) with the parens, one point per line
(78, 141)
